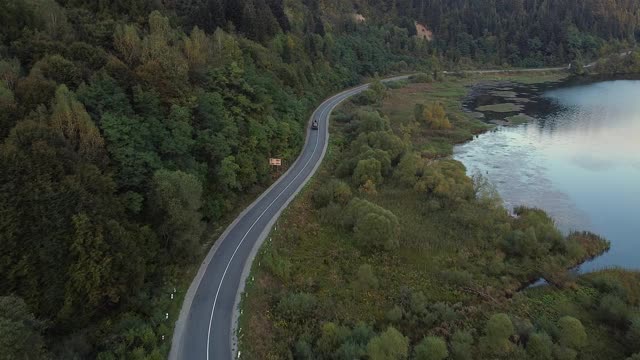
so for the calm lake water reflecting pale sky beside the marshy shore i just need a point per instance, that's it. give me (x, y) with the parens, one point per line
(579, 160)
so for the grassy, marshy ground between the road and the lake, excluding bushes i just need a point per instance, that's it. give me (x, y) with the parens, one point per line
(315, 275)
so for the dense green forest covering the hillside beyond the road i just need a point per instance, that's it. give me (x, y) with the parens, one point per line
(127, 128)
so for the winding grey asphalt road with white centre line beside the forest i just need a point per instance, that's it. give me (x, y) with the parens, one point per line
(207, 320)
